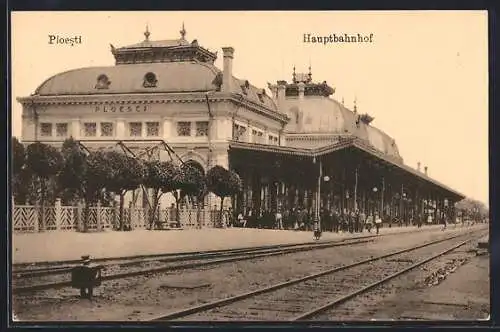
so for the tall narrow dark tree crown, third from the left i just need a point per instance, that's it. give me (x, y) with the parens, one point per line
(72, 176)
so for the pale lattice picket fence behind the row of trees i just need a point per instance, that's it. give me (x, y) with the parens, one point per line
(28, 218)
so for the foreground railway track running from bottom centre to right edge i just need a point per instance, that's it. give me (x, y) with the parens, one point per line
(310, 296)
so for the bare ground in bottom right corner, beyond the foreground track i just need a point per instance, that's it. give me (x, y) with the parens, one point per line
(454, 287)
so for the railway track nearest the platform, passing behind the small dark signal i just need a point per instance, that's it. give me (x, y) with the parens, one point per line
(24, 281)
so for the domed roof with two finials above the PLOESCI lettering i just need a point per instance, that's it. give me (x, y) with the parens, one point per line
(163, 66)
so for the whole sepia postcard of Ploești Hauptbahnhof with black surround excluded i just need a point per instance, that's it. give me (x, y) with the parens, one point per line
(250, 166)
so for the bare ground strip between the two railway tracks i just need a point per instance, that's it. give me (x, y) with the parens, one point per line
(141, 298)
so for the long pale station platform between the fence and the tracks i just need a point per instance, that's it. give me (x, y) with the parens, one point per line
(57, 246)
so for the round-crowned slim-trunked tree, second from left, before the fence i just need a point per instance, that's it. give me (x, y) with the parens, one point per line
(44, 161)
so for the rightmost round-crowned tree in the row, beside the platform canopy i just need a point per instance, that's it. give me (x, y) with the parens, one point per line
(223, 183)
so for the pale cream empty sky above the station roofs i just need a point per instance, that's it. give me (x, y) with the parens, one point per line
(424, 76)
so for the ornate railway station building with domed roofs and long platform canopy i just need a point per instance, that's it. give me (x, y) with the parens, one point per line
(292, 144)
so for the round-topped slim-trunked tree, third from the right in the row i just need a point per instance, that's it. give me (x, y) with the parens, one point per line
(162, 177)
